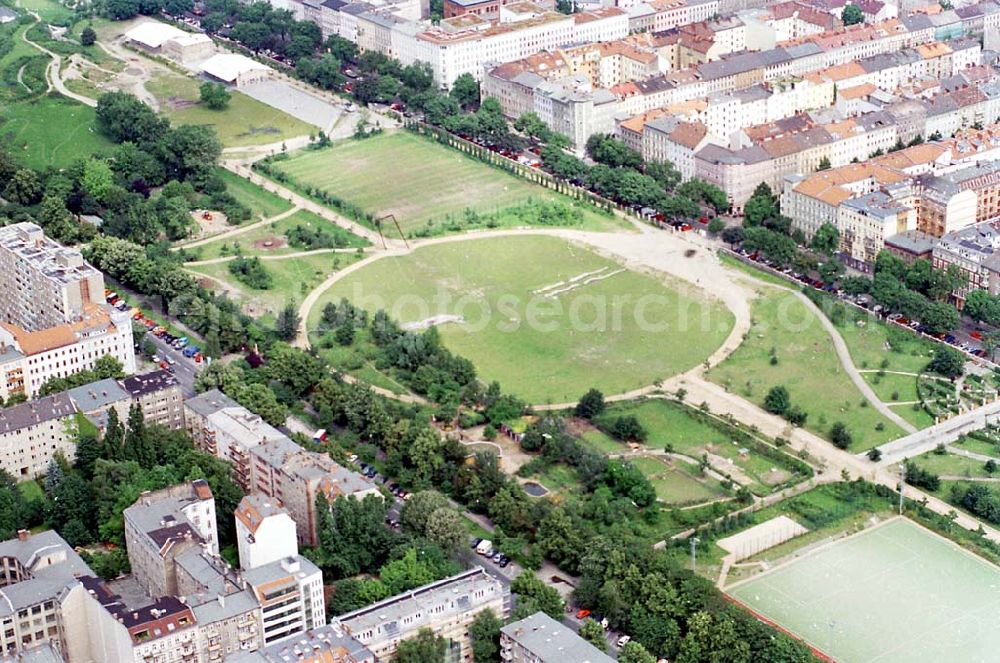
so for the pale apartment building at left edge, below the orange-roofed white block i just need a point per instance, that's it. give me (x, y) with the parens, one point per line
(32, 433)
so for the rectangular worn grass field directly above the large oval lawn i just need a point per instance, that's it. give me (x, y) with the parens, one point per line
(422, 182)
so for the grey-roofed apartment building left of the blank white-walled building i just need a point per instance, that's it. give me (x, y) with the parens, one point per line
(164, 524)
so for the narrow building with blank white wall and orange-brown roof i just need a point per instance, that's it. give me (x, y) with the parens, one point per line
(265, 532)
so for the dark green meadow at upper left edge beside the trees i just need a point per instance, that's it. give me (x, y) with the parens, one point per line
(50, 131)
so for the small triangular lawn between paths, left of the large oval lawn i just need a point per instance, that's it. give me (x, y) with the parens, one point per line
(293, 278)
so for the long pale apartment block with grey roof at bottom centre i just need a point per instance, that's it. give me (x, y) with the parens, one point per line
(447, 607)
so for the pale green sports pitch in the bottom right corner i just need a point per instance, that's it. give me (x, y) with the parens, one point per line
(896, 593)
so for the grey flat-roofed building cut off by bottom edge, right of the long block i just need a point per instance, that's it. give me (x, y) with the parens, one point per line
(541, 639)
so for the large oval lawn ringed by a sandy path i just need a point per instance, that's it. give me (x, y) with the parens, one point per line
(543, 348)
